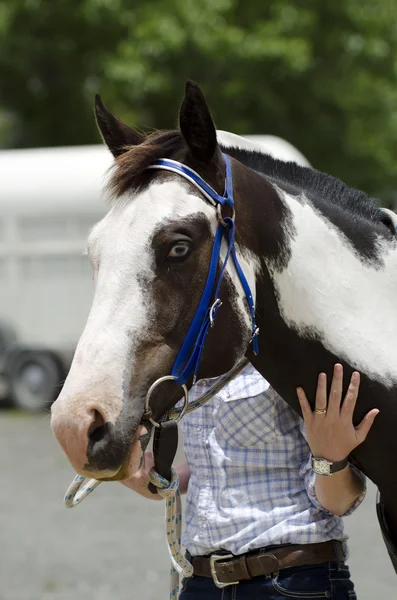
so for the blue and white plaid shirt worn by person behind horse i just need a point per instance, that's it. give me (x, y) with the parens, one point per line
(251, 482)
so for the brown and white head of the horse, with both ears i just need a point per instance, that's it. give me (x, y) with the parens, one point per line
(150, 258)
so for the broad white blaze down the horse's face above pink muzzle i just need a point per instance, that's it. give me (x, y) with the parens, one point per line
(120, 252)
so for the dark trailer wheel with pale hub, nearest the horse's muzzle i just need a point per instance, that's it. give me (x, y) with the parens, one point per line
(35, 379)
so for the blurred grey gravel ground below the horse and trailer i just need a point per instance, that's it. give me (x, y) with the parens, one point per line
(113, 545)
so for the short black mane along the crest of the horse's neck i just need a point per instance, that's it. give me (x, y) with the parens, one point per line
(296, 179)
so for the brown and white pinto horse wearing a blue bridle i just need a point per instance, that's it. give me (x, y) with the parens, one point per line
(319, 260)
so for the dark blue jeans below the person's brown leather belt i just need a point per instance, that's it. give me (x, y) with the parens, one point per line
(328, 580)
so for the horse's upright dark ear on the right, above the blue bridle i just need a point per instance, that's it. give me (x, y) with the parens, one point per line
(196, 124)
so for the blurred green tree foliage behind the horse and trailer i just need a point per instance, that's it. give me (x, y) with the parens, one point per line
(320, 74)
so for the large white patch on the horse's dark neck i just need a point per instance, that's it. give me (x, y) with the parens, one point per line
(348, 302)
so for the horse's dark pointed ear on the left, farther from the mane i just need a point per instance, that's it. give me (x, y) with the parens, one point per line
(116, 135)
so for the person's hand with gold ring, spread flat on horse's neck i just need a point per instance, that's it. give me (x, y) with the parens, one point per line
(332, 435)
